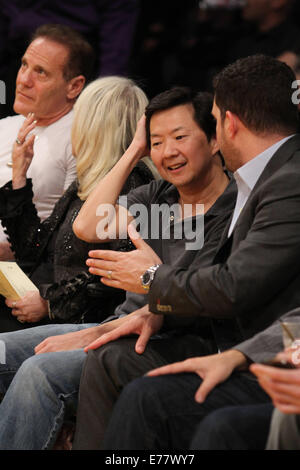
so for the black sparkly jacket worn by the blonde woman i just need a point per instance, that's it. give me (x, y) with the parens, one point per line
(55, 258)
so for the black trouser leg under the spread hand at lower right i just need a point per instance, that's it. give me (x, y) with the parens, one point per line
(161, 413)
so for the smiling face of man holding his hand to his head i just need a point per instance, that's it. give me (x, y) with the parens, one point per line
(179, 148)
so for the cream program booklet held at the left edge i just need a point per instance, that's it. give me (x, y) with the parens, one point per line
(14, 283)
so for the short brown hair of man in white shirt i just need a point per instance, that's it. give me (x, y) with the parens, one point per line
(81, 54)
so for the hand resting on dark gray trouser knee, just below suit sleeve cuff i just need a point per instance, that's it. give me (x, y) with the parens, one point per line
(141, 322)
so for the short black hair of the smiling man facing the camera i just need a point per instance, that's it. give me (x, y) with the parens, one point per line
(201, 101)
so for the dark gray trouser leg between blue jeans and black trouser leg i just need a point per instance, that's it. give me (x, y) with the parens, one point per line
(110, 368)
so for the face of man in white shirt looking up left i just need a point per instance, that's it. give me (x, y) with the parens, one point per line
(40, 85)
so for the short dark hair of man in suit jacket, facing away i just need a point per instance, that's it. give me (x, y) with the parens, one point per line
(258, 89)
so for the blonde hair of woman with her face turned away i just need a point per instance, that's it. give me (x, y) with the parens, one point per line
(105, 119)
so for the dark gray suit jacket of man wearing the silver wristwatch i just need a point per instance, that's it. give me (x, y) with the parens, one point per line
(255, 276)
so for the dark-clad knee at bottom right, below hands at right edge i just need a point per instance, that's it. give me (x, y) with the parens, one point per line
(234, 428)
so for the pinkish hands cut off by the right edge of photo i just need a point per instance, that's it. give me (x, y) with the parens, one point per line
(283, 385)
